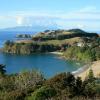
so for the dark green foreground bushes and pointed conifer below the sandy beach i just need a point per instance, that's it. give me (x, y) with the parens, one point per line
(66, 86)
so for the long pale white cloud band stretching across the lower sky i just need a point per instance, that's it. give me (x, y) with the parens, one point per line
(86, 18)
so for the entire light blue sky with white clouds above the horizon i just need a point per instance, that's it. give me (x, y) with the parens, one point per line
(84, 14)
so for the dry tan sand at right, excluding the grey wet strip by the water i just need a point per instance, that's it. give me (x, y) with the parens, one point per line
(96, 70)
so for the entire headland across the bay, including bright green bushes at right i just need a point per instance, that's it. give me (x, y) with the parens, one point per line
(75, 44)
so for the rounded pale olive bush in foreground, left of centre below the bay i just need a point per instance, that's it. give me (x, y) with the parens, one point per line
(28, 80)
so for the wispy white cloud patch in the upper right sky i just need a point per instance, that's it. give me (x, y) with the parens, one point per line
(88, 13)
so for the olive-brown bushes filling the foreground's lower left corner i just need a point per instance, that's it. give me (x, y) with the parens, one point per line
(18, 86)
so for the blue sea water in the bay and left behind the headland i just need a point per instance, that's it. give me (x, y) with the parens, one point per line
(48, 64)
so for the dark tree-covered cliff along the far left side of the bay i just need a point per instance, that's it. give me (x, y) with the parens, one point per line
(29, 48)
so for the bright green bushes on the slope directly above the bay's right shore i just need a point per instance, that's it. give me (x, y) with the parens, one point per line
(86, 53)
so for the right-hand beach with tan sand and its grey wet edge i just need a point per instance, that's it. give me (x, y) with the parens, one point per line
(85, 70)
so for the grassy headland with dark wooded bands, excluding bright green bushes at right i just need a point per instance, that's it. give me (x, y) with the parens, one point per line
(49, 41)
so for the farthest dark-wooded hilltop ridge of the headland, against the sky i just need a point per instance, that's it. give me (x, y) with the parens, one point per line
(62, 34)
